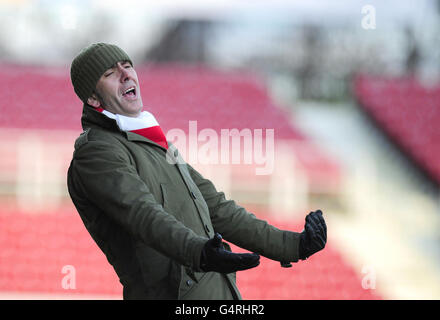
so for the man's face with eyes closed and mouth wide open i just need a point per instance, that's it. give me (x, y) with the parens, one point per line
(118, 91)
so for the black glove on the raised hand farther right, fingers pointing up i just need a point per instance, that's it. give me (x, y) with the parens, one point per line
(314, 236)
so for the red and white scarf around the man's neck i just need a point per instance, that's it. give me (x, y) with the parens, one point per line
(145, 125)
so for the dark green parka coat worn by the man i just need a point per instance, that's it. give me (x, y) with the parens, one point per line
(151, 216)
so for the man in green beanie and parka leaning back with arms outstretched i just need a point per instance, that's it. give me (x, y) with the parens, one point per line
(159, 222)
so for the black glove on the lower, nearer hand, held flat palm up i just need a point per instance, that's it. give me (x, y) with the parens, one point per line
(216, 258)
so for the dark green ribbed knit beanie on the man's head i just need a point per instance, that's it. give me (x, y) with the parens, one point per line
(90, 64)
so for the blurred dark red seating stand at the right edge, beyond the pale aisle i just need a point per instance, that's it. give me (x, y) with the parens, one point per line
(408, 112)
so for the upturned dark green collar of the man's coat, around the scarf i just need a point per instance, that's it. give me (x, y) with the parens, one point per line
(93, 119)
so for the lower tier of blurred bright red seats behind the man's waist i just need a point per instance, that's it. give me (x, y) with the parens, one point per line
(36, 249)
